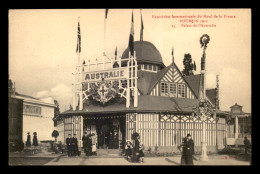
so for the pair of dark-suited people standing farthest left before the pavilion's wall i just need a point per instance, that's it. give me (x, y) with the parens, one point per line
(72, 145)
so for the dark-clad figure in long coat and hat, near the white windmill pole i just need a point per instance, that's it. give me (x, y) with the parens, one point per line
(187, 148)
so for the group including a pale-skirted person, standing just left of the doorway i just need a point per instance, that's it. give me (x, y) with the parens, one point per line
(89, 143)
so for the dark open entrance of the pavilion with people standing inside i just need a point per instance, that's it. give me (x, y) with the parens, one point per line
(110, 131)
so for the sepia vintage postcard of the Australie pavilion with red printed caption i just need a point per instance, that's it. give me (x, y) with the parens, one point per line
(129, 87)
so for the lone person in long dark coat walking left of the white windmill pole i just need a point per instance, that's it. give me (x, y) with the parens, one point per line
(189, 150)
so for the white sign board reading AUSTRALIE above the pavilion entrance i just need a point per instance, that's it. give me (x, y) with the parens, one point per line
(112, 74)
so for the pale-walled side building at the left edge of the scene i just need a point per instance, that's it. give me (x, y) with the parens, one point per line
(37, 116)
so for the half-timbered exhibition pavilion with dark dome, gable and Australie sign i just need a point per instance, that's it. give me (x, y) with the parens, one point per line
(154, 100)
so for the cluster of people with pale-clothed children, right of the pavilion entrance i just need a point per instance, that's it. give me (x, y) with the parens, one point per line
(134, 152)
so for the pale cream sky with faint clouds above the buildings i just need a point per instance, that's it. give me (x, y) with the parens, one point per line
(42, 46)
